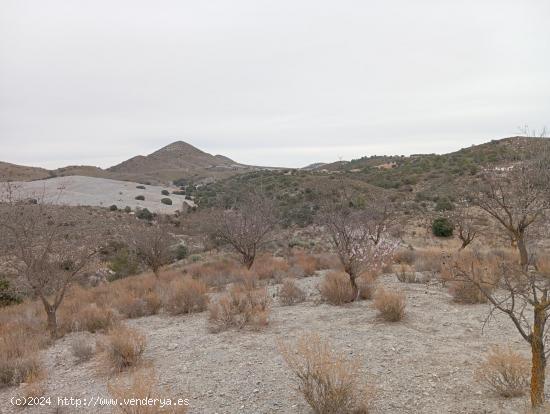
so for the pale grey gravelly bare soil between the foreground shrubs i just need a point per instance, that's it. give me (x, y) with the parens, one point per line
(423, 364)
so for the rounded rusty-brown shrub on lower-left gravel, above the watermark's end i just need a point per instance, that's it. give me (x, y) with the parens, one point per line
(124, 347)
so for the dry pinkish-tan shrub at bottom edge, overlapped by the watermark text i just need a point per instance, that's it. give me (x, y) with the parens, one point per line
(143, 385)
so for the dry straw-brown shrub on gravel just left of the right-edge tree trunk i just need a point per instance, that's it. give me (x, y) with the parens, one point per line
(505, 372)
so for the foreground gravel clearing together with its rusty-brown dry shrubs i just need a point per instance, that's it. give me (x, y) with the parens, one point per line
(223, 336)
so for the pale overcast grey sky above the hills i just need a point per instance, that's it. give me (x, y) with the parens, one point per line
(278, 82)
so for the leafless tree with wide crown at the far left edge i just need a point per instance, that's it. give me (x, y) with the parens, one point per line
(46, 247)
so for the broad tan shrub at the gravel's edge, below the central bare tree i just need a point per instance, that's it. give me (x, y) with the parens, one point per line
(240, 307)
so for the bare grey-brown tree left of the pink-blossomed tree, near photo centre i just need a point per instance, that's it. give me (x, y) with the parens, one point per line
(246, 227)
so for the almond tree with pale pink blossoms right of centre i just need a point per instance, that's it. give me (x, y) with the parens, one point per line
(359, 242)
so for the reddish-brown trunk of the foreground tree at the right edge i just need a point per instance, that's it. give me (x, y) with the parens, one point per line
(538, 365)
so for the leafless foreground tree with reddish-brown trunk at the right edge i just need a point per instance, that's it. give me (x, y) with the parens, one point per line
(522, 295)
